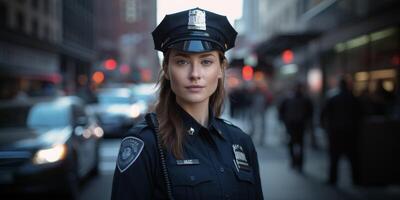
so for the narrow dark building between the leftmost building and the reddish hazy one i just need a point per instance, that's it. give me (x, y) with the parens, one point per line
(77, 53)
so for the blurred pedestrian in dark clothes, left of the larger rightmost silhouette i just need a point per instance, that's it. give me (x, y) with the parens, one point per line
(295, 111)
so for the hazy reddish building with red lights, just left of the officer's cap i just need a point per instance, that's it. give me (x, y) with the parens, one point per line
(124, 34)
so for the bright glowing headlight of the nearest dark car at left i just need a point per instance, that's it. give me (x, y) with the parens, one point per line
(50, 155)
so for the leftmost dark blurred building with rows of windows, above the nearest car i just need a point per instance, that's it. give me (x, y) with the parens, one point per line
(30, 35)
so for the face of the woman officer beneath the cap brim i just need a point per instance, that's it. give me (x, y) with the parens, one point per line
(193, 76)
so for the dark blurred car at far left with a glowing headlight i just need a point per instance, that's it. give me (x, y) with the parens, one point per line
(47, 146)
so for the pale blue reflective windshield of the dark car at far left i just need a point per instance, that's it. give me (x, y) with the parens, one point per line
(41, 115)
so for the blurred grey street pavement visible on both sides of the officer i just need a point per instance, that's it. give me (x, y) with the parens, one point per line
(279, 181)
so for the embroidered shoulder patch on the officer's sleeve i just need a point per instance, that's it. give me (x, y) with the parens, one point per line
(130, 149)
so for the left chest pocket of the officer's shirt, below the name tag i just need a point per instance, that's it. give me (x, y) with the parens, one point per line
(191, 182)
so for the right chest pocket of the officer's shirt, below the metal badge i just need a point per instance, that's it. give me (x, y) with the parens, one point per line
(245, 187)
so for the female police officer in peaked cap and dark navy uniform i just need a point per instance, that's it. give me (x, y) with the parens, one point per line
(205, 156)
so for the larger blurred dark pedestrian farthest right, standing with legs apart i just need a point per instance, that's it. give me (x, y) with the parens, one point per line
(340, 117)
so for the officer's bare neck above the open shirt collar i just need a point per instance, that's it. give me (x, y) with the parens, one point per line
(199, 111)
